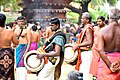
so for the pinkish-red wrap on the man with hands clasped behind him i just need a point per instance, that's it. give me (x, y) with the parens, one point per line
(104, 73)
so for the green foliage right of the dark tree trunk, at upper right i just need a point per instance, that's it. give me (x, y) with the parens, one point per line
(95, 10)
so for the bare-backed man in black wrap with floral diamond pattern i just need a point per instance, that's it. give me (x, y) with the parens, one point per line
(7, 37)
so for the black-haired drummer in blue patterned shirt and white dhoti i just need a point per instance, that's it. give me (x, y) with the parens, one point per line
(54, 53)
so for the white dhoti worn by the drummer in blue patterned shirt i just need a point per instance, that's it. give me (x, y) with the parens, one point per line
(47, 73)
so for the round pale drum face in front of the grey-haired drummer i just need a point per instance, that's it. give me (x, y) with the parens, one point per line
(70, 55)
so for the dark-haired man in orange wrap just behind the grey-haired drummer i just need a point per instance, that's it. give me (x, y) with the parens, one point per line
(95, 58)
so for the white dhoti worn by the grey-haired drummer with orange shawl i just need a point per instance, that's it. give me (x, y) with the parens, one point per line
(86, 57)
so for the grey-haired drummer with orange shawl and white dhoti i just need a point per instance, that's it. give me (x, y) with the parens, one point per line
(85, 44)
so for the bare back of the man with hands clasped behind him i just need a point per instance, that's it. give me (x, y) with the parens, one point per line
(111, 36)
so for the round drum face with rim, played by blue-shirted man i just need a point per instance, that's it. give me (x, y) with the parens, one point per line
(31, 62)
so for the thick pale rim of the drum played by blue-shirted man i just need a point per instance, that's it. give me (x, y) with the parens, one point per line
(38, 68)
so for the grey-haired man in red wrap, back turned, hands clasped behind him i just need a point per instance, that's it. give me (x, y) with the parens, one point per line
(109, 47)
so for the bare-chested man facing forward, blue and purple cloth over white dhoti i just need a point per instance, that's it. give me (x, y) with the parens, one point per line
(24, 36)
